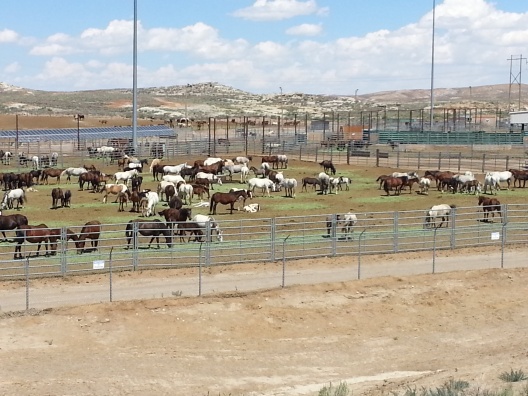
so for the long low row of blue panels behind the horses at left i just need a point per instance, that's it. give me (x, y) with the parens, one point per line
(35, 135)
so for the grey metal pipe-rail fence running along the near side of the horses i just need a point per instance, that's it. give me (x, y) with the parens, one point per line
(259, 242)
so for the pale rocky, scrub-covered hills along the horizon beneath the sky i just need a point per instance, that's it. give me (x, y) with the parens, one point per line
(216, 100)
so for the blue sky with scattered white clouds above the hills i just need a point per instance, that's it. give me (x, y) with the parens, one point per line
(342, 47)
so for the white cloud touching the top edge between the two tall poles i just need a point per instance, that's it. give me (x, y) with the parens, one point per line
(274, 10)
